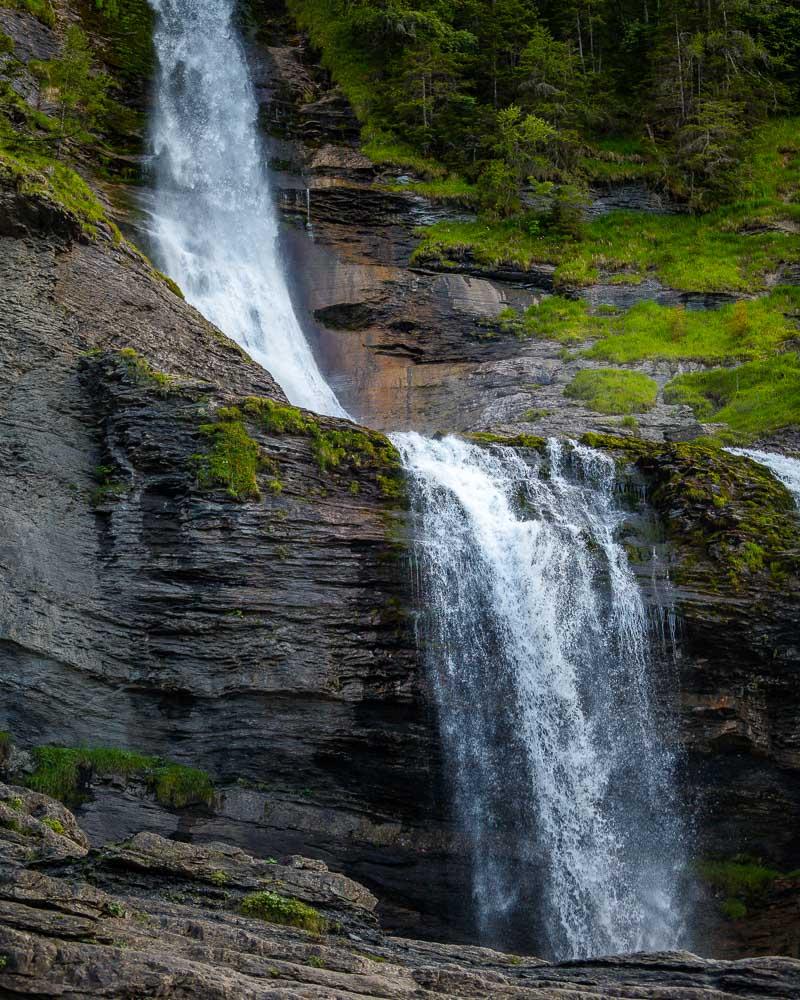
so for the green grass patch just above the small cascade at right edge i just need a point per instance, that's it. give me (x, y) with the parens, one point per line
(754, 399)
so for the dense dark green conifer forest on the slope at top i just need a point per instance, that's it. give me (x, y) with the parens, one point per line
(509, 91)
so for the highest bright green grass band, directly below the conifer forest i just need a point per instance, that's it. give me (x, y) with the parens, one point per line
(721, 251)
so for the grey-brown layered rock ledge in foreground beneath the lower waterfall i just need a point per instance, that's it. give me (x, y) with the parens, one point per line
(171, 925)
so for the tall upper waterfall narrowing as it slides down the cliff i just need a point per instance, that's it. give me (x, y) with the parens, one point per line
(214, 227)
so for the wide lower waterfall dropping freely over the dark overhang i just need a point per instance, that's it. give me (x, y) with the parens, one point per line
(539, 653)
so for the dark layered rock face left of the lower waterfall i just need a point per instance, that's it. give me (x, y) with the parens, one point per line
(268, 641)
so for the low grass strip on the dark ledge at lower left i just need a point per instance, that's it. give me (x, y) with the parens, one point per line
(58, 772)
